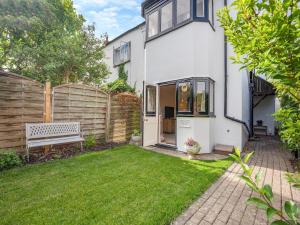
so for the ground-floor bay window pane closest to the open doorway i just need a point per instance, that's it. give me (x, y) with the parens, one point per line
(184, 97)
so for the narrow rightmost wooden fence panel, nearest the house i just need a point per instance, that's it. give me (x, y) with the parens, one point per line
(125, 113)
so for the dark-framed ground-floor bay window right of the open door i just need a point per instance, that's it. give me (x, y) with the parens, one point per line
(195, 97)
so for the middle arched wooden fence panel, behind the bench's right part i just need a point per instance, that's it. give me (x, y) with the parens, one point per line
(81, 103)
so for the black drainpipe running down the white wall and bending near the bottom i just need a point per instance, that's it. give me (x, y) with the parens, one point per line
(226, 87)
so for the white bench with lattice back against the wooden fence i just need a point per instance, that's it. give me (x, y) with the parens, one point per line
(45, 134)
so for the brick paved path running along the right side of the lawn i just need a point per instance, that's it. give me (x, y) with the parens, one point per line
(225, 201)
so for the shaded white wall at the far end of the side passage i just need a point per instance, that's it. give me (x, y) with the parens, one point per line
(264, 112)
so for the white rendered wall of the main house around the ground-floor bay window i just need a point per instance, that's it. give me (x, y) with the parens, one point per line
(196, 50)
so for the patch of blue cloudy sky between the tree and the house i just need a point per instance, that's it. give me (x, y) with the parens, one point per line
(110, 16)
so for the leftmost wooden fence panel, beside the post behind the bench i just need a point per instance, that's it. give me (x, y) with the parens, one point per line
(21, 101)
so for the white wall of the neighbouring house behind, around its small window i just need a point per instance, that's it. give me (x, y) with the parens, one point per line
(135, 67)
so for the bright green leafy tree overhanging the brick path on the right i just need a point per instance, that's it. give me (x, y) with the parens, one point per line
(265, 37)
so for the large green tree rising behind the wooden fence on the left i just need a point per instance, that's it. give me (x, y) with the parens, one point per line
(51, 43)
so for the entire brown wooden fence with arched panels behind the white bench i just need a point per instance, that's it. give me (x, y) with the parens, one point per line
(22, 100)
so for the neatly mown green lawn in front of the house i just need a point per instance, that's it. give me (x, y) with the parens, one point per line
(126, 185)
